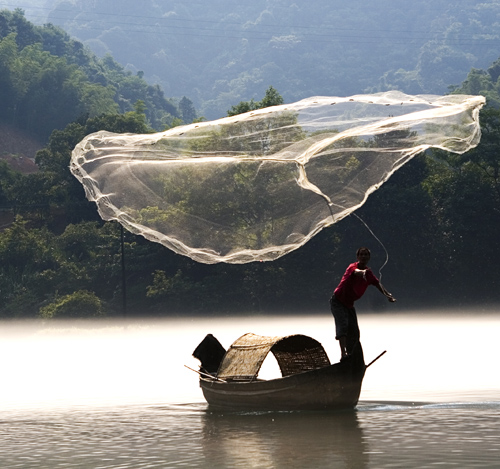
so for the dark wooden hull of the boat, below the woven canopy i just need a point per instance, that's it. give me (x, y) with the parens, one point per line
(336, 386)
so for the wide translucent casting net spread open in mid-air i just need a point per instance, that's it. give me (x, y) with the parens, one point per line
(258, 185)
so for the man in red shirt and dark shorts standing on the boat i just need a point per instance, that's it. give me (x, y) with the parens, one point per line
(353, 285)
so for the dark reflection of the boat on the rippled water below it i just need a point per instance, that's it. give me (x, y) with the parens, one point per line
(284, 439)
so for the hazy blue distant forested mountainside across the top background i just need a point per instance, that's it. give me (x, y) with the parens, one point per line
(221, 52)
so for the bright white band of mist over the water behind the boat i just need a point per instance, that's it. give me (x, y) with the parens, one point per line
(430, 356)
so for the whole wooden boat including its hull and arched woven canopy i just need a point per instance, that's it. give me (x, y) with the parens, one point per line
(229, 380)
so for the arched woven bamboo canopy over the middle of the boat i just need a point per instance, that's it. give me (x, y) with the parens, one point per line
(294, 354)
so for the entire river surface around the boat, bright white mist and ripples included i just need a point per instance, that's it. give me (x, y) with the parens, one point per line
(116, 394)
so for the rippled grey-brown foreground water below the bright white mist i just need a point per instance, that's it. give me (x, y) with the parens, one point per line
(376, 436)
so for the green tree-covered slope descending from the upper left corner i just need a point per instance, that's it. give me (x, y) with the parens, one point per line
(48, 80)
